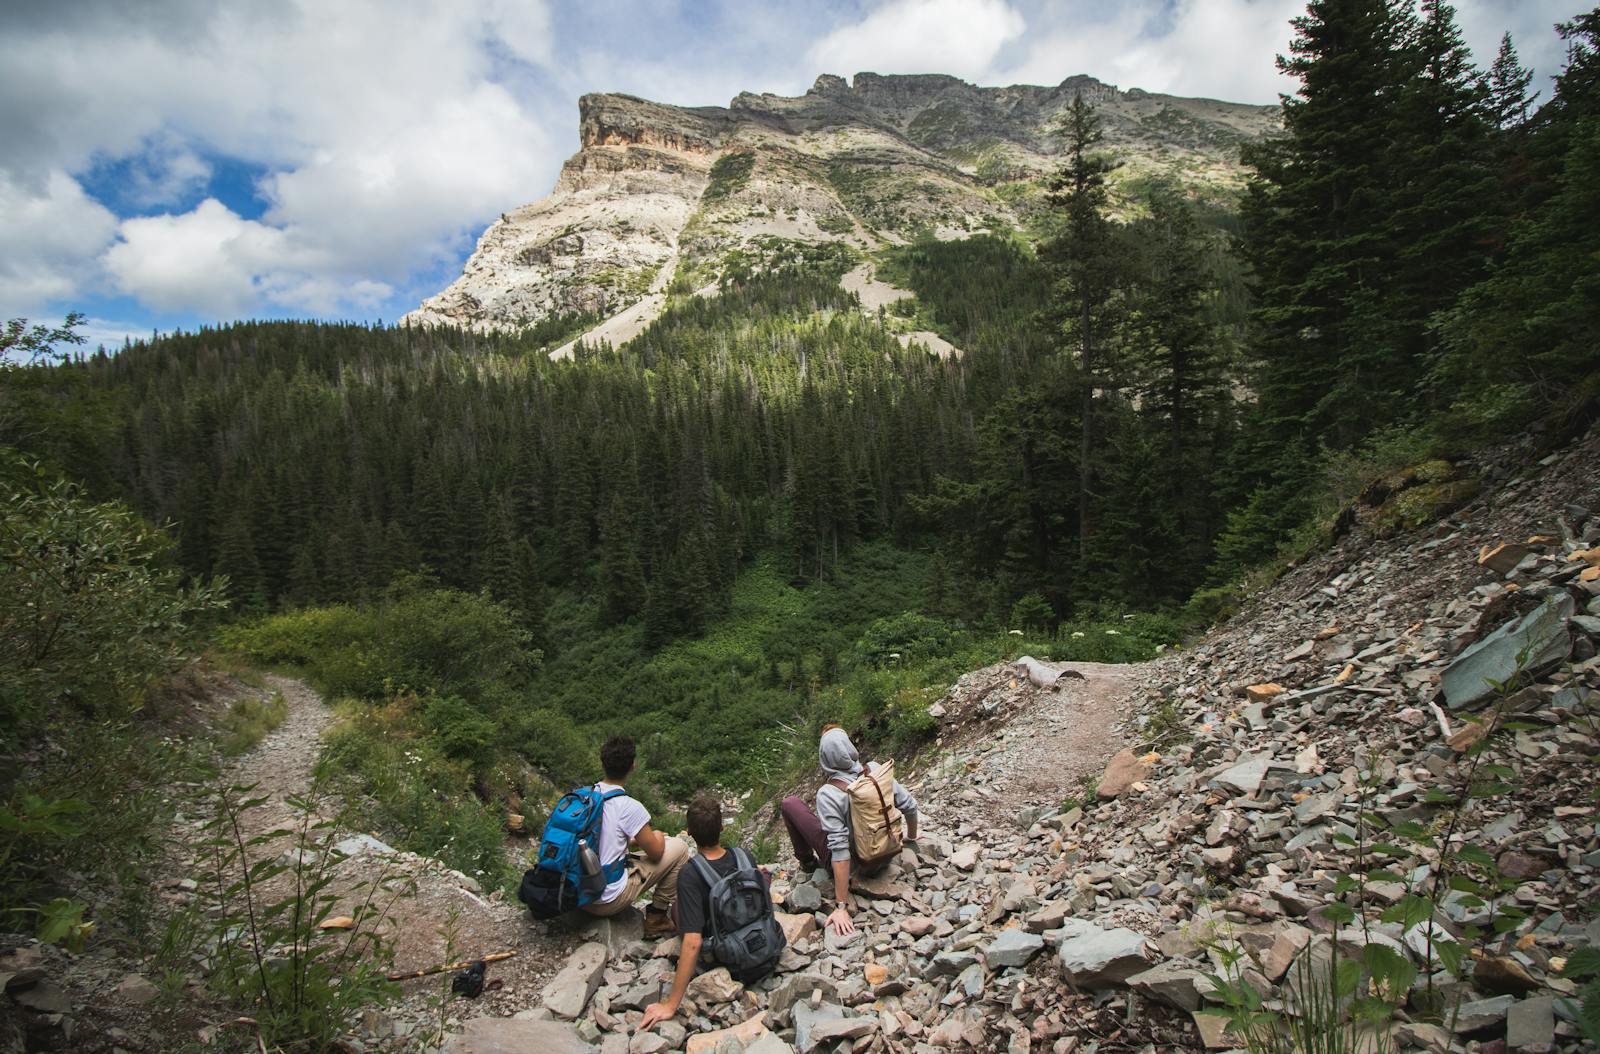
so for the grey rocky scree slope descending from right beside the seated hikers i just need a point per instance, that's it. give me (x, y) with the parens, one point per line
(1092, 919)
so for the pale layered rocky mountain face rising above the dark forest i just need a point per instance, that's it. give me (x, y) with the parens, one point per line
(660, 193)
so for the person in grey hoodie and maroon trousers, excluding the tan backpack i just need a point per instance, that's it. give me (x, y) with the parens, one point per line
(826, 834)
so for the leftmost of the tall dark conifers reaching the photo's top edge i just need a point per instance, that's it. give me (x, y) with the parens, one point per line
(1318, 230)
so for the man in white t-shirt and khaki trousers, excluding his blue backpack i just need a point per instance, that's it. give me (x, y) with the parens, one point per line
(626, 824)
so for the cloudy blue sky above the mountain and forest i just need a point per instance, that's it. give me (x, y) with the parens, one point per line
(185, 162)
